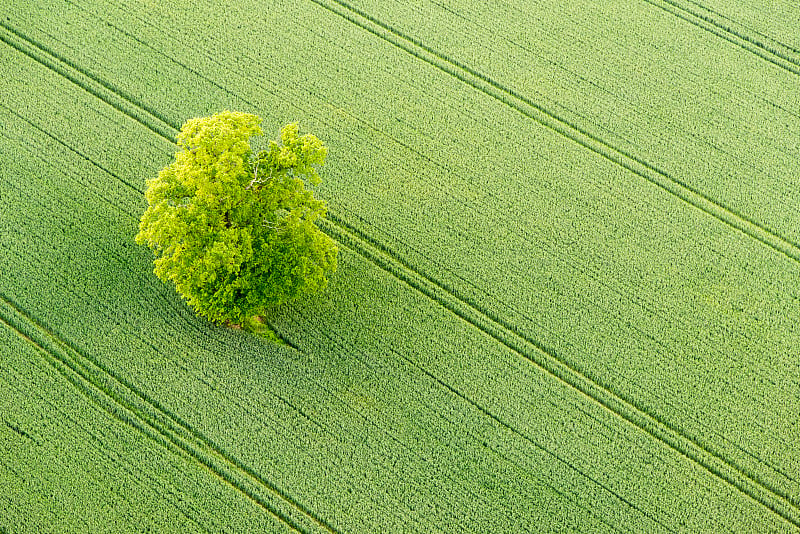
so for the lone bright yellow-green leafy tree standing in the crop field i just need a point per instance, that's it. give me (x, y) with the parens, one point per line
(235, 231)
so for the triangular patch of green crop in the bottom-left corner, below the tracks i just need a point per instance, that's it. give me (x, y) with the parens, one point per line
(65, 450)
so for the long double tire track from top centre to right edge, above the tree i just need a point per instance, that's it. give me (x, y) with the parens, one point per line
(552, 121)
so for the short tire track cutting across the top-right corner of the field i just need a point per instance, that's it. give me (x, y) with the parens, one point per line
(708, 20)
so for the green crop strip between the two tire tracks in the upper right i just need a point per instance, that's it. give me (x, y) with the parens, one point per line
(669, 104)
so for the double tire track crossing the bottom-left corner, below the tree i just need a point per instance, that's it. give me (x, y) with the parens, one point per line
(124, 402)
